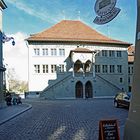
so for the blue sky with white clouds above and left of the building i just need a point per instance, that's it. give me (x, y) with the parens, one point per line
(22, 18)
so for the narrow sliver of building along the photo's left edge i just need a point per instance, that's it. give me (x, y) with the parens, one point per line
(2, 68)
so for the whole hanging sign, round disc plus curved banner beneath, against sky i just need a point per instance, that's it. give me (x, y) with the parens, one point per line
(106, 11)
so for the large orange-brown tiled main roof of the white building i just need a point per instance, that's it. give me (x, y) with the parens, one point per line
(68, 30)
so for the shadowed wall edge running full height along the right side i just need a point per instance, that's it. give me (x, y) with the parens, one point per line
(132, 127)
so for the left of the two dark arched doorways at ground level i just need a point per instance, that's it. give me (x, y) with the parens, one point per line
(79, 90)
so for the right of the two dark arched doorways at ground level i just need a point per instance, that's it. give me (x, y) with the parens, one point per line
(88, 90)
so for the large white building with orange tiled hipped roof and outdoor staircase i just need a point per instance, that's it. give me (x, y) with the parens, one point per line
(72, 60)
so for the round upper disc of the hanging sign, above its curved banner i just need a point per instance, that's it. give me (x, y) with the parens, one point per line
(103, 7)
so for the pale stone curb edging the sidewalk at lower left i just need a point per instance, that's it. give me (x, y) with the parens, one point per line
(13, 116)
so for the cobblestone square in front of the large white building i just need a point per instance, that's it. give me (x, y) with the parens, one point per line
(62, 120)
